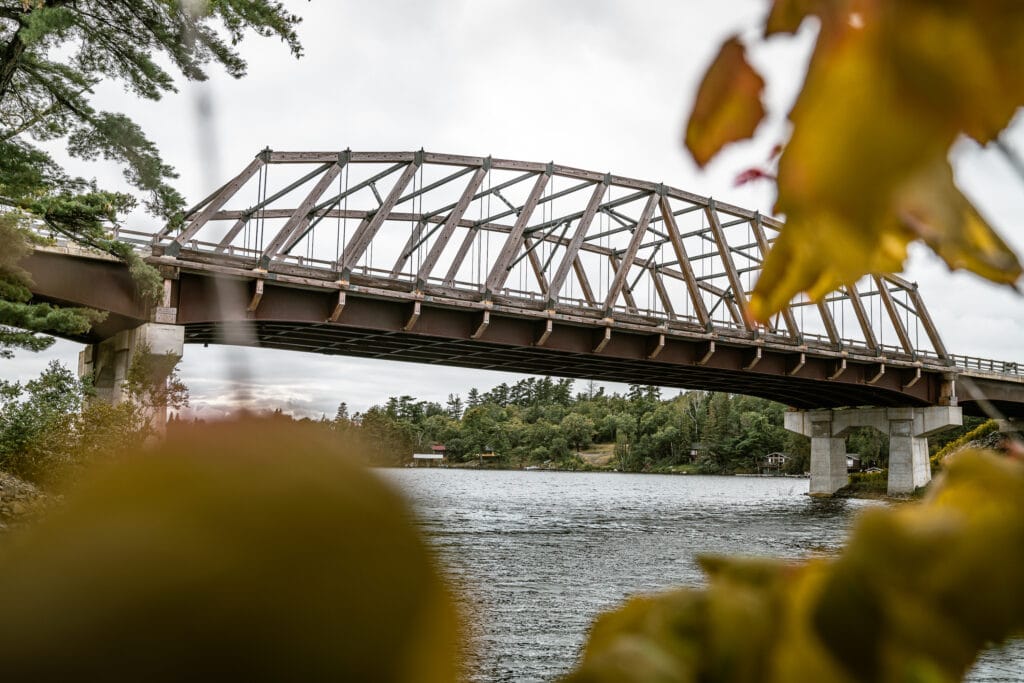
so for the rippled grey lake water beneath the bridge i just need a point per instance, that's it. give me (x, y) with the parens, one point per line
(536, 557)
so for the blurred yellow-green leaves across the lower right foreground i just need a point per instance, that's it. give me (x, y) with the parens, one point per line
(914, 597)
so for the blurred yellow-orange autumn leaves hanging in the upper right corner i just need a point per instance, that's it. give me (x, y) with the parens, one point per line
(890, 88)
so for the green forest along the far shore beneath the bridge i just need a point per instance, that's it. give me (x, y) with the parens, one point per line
(546, 422)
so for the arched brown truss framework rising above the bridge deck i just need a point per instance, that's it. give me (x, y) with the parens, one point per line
(539, 235)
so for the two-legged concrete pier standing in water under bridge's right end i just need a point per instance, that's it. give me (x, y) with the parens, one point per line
(908, 429)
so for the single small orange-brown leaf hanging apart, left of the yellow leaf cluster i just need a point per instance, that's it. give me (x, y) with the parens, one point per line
(729, 105)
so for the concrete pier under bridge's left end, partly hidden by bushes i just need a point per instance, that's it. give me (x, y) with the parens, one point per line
(108, 363)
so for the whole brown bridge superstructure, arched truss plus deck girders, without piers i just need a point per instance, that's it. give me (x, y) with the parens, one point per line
(521, 267)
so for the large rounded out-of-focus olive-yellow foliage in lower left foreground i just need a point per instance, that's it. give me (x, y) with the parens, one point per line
(248, 551)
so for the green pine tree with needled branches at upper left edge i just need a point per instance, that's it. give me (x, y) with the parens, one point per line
(53, 53)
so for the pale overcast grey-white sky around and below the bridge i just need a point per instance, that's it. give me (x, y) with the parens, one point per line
(595, 84)
